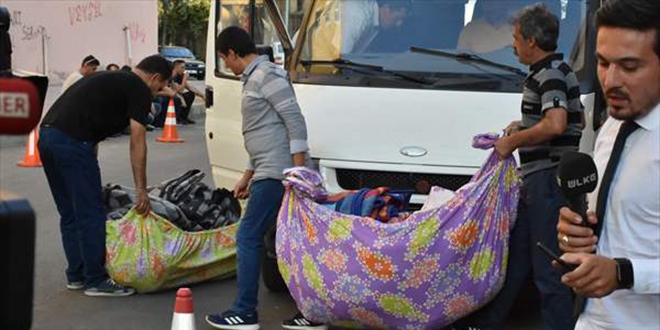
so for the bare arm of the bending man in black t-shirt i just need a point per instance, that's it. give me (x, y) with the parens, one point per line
(138, 153)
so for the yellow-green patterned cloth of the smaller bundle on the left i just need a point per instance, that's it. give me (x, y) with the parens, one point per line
(151, 254)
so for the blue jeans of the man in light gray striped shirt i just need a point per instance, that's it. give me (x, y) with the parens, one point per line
(260, 214)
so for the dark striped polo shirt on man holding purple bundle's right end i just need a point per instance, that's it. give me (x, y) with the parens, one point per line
(551, 83)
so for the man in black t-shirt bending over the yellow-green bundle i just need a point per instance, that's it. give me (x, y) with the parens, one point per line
(95, 108)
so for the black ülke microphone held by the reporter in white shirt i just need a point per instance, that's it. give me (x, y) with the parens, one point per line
(577, 176)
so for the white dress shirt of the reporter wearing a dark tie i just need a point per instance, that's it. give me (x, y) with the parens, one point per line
(631, 227)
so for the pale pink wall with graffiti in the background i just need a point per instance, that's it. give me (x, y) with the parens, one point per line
(76, 28)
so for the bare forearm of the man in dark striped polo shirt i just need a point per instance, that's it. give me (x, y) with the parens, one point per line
(551, 126)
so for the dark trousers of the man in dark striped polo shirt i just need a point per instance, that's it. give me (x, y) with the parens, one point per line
(538, 213)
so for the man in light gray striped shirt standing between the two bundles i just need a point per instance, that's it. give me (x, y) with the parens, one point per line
(275, 138)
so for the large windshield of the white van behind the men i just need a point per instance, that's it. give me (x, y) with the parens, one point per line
(419, 37)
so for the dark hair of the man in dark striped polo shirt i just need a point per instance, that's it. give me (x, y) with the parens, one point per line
(537, 22)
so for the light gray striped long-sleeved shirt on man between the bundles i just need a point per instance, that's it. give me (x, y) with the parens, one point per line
(273, 126)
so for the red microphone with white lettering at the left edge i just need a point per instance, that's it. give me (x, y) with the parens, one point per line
(20, 106)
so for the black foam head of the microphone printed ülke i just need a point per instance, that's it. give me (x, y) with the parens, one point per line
(577, 174)
